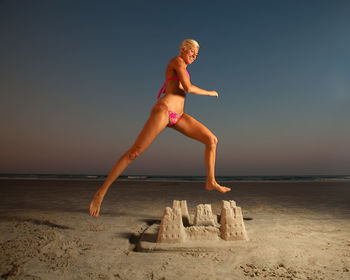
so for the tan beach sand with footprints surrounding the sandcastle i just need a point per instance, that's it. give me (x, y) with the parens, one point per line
(298, 231)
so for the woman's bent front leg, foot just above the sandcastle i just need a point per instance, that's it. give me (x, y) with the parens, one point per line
(196, 130)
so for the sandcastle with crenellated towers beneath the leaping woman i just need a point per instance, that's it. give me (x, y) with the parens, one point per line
(179, 230)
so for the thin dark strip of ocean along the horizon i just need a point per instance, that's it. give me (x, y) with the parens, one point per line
(102, 177)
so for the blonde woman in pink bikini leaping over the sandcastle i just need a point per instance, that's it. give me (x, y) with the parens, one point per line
(168, 111)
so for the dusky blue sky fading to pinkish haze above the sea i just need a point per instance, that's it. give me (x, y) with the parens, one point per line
(78, 80)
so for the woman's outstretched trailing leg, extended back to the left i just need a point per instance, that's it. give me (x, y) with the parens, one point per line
(154, 125)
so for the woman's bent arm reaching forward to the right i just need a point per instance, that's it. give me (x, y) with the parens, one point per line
(180, 68)
